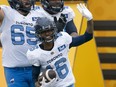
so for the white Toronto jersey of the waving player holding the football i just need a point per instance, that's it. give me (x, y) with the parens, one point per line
(56, 59)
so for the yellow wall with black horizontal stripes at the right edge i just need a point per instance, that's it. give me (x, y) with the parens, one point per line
(104, 11)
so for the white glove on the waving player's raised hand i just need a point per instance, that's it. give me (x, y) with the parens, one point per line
(84, 11)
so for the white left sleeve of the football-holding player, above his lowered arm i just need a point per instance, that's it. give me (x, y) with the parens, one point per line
(32, 57)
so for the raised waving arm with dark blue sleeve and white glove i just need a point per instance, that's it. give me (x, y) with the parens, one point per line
(76, 41)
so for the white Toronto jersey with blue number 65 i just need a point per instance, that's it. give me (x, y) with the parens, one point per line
(17, 36)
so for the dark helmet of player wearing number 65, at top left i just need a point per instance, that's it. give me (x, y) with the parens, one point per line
(21, 5)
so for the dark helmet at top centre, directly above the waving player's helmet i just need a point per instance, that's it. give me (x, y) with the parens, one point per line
(53, 6)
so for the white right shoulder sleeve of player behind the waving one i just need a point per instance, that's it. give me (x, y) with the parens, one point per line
(68, 11)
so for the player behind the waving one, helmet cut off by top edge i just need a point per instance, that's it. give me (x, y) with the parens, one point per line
(55, 9)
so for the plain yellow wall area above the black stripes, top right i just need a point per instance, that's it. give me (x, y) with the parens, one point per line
(103, 9)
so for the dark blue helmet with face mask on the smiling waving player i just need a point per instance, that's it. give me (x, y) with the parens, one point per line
(45, 30)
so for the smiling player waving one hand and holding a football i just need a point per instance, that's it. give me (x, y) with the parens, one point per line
(52, 52)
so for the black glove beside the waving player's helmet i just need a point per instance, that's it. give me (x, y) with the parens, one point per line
(60, 24)
